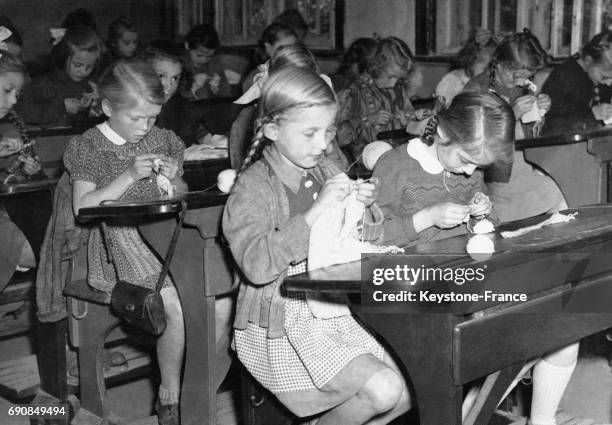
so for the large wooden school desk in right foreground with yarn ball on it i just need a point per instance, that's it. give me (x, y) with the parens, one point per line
(565, 271)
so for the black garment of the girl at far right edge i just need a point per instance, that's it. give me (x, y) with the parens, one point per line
(571, 90)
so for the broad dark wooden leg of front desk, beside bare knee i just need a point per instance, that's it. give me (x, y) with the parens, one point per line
(424, 349)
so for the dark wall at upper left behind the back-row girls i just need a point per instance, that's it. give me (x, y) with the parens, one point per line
(33, 18)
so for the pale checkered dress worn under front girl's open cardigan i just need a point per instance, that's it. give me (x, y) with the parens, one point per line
(319, 363)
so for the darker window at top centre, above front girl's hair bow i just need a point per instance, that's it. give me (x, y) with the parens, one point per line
(241, 22)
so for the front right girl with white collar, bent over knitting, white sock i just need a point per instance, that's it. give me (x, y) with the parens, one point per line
(430, 185)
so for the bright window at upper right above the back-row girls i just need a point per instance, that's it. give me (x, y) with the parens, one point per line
(562, 26)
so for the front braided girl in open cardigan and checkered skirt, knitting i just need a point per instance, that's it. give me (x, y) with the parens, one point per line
(329, 367)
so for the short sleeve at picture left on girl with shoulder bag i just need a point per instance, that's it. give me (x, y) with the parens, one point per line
(82, 161)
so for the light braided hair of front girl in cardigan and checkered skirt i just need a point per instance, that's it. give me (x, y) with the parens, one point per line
(286, 89)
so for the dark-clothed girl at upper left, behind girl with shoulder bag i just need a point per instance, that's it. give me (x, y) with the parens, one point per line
(65, 95)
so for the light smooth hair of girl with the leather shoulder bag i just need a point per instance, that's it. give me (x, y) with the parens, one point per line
(128, 80)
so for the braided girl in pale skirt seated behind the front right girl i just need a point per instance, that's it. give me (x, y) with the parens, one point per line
(518, 189)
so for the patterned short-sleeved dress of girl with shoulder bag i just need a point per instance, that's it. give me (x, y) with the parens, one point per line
(92, 157)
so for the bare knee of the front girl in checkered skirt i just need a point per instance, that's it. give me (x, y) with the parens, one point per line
(384, 390)
